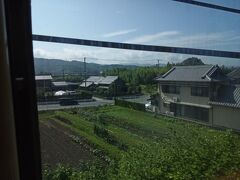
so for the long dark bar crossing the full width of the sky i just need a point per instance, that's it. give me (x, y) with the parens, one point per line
(138, 47)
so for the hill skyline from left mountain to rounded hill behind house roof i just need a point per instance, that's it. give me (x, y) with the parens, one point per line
(57, 67)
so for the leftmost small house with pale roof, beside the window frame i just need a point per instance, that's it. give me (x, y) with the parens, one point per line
(43, 82)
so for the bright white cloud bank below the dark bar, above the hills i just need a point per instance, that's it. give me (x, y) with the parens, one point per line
(108, 56)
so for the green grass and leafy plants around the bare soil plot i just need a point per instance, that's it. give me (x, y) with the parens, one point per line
(155, 147)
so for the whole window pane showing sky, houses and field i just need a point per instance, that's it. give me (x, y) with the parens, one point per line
(137, 89)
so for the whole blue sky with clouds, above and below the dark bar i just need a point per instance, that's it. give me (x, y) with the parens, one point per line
(157, 22)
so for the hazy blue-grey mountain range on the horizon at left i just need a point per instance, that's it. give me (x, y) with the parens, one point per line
(57, 66)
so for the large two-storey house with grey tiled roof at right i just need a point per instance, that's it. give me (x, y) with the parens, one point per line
(200, 93)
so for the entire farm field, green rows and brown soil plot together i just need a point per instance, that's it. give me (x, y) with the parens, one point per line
(112, 142)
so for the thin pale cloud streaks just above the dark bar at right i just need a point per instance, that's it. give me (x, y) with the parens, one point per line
(220, 40)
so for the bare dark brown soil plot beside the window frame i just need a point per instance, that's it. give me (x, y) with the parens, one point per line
(58, 146)
